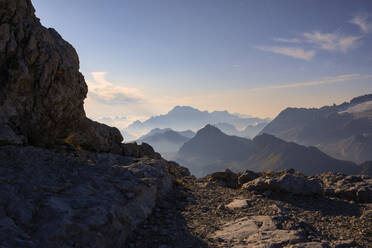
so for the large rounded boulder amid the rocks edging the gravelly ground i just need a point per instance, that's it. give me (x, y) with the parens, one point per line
(285, 182)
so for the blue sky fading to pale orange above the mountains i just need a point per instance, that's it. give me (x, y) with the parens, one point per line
(143, 57)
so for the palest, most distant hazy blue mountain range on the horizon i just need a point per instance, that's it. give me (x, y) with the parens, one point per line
(188, 118)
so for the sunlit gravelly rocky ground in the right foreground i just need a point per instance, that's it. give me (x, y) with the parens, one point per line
(283, 209)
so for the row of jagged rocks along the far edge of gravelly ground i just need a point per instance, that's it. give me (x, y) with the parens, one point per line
(356, 188)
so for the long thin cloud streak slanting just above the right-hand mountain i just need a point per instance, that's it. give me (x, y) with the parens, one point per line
(327, 80)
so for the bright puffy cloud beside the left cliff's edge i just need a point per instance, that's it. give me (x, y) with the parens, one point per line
(108, 93)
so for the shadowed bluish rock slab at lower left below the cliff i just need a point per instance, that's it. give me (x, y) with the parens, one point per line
(75, 199)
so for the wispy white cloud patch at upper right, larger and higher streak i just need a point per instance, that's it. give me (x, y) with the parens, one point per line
(331, 41)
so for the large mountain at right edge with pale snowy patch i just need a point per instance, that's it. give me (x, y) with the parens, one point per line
(343, 131)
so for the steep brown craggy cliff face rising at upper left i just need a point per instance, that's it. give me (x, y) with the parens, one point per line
(41, 89)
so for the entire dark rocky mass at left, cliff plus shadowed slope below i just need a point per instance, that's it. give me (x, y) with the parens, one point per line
(56, 190)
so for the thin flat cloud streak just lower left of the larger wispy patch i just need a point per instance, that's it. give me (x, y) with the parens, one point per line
(294, 52)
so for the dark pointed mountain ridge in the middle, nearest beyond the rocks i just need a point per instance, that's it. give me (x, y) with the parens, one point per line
(211, 150)
